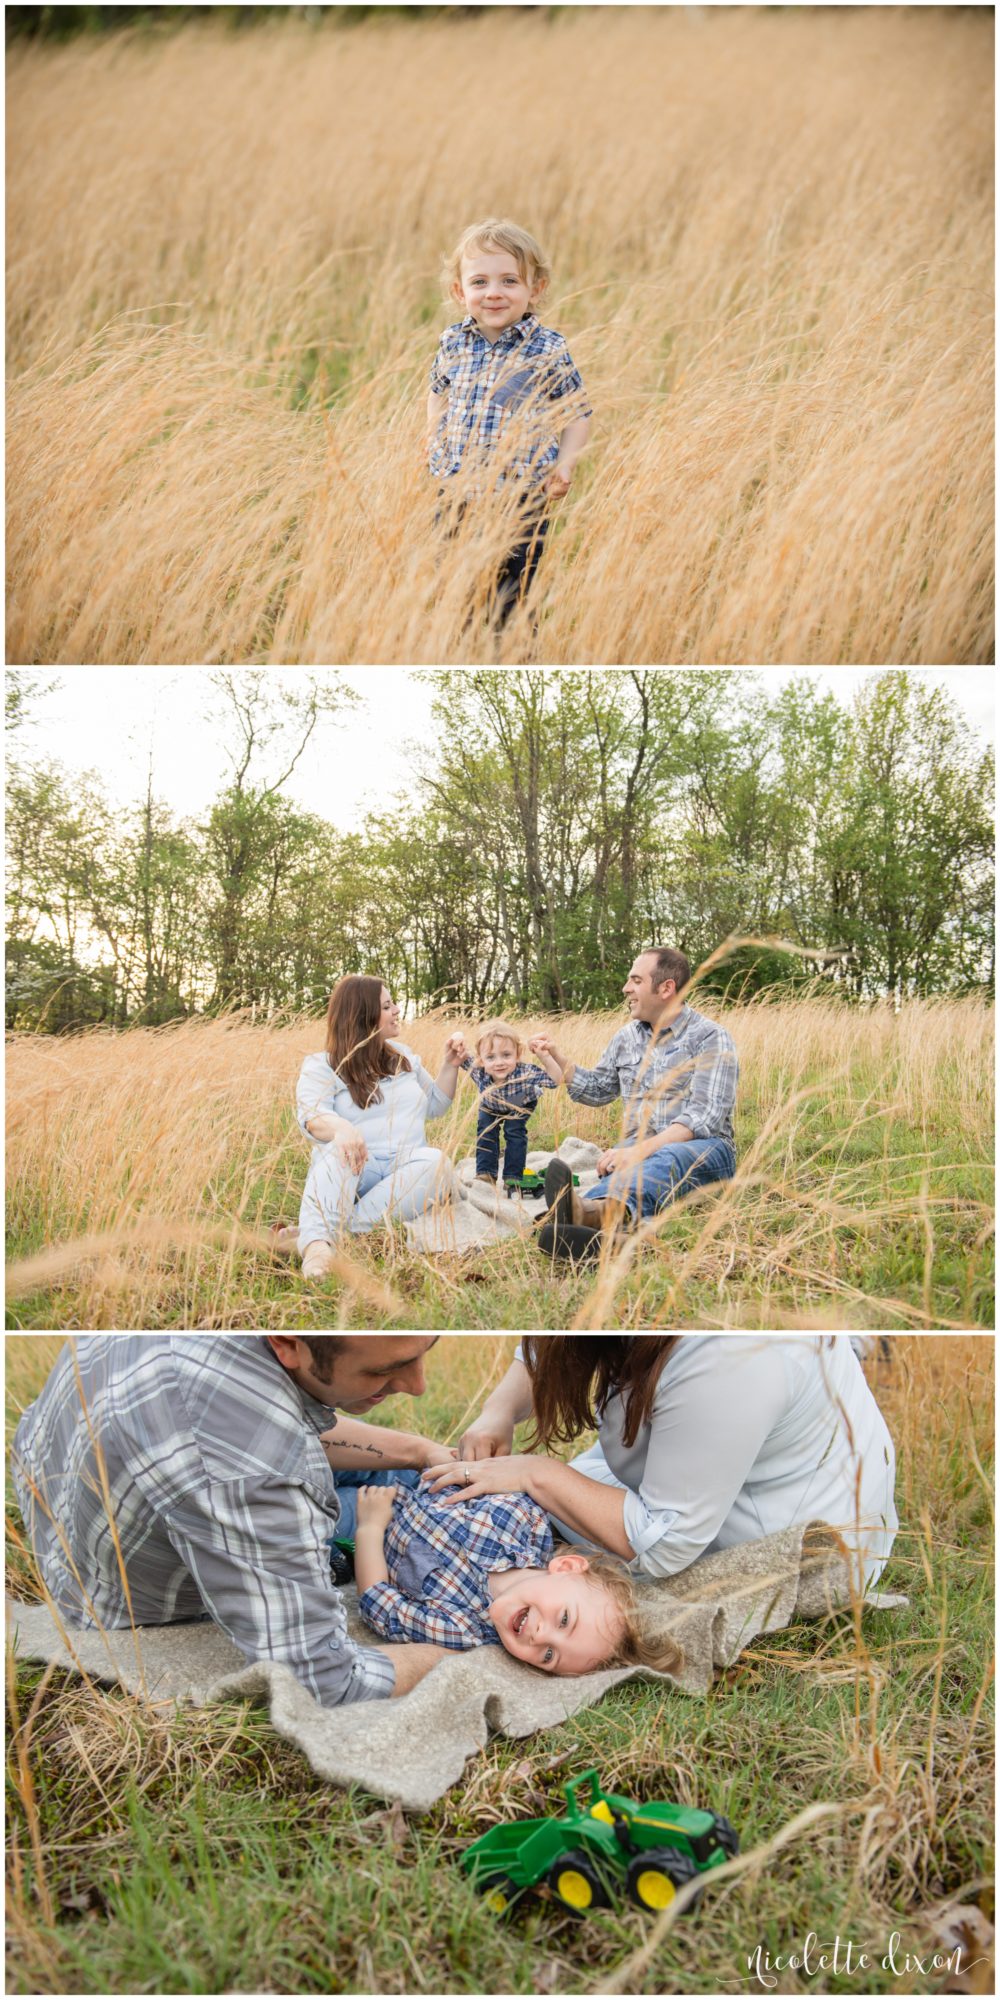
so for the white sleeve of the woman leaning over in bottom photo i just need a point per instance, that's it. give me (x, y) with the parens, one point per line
(711, 1419)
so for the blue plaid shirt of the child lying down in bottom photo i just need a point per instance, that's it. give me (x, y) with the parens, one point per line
(439, 1561)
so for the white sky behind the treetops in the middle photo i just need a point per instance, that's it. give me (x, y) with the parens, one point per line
(109, 719)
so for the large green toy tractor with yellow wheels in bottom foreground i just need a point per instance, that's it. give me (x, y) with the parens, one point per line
(599, 1847)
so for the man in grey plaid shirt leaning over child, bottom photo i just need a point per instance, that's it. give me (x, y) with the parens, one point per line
(169, 1477)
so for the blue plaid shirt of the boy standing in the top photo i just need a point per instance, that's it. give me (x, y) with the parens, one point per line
(507, 399)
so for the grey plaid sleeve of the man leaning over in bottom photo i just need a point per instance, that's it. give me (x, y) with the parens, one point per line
(257, 1551)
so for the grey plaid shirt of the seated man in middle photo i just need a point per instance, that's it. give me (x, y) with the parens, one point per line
(685, 1077)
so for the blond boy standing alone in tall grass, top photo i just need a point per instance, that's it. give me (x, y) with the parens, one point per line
(505, 397)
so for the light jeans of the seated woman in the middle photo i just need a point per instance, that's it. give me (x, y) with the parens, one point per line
(393, 1187)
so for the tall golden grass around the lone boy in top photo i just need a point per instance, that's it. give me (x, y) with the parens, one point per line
(773, 259)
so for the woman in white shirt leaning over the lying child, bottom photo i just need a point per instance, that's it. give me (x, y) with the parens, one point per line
(703, 1441)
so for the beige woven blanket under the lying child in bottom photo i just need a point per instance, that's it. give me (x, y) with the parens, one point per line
(417, 1747)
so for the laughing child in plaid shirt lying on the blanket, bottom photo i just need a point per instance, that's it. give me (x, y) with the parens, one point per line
(487, 1575)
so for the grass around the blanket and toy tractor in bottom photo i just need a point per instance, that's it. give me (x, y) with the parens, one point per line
(197, 1851)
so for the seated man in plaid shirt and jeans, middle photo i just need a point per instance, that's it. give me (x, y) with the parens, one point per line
(677, 1075)
